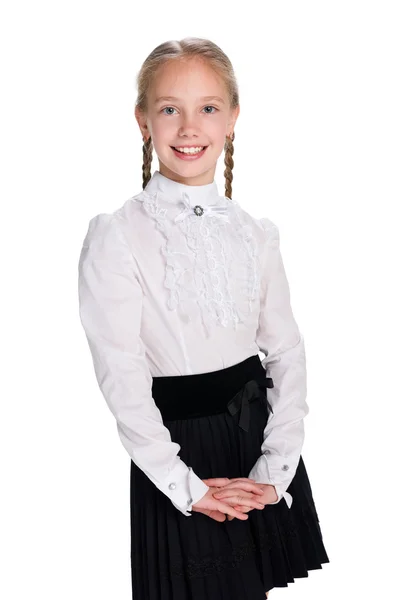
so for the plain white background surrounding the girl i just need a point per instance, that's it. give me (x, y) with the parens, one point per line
(316, 150)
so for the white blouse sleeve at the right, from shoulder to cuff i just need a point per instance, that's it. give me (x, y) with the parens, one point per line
(279, 338)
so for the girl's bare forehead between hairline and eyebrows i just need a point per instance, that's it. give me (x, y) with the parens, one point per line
(190, 79)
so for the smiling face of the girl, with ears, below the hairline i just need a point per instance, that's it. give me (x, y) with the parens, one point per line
(196, 113)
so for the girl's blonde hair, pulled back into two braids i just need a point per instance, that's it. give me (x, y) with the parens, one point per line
(189, 47)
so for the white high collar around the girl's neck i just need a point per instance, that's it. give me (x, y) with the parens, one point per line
(173, 191)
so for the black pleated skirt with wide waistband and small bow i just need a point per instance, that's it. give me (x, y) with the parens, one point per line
(218, 419)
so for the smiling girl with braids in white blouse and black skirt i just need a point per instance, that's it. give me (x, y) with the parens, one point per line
(179, 289)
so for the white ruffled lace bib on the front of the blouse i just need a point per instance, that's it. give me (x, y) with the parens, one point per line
(198, 266)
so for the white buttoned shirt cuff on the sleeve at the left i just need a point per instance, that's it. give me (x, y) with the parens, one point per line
(184, 488)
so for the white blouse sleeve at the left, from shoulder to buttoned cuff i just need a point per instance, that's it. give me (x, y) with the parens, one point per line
(110, 308)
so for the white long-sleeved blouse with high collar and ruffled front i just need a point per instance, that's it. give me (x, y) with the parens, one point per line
(180, 280)
